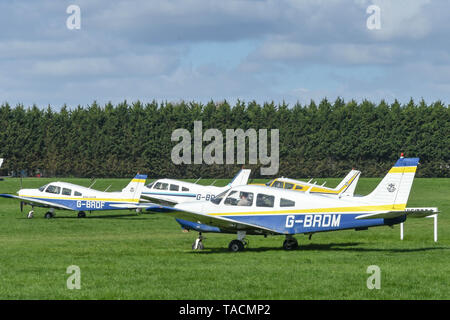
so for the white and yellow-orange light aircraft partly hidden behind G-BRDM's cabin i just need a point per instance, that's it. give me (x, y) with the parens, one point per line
(345, 188)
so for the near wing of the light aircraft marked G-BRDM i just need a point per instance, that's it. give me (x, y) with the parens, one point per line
(216, 221)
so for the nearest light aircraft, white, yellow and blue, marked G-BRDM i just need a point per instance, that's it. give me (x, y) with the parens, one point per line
(261, 210)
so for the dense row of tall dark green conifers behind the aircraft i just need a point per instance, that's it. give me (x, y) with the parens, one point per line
(315, 140)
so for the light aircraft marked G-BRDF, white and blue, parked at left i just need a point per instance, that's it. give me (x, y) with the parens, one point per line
(67, 196)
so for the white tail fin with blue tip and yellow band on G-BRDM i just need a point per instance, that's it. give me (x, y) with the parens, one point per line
(396, 185)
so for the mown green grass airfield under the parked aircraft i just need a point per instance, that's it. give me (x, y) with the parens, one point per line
(125, 256)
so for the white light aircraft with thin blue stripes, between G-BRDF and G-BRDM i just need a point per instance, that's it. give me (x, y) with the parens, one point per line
(175, 191)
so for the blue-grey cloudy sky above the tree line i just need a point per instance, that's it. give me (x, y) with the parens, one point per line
(263, 50)
